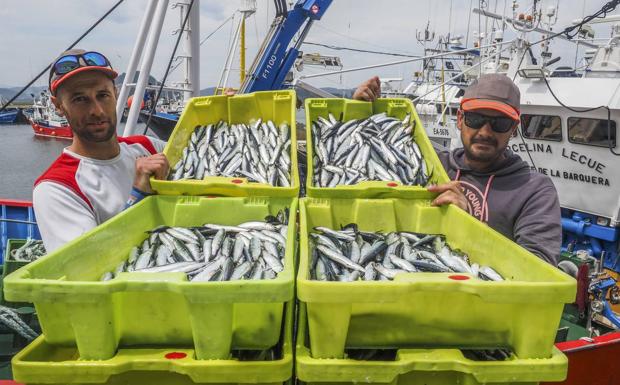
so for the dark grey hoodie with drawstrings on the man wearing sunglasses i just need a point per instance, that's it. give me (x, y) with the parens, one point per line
(515, 201)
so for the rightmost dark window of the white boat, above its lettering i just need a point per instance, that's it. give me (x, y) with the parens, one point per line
(592, 132)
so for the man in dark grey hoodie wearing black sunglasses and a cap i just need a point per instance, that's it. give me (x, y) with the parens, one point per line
(488, 179)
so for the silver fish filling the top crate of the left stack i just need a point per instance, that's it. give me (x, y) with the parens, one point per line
(257, 151)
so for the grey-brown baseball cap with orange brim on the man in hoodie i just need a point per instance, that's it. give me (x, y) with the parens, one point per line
(494, 92)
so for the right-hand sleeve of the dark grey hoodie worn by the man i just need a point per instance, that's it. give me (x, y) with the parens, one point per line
(538, 227)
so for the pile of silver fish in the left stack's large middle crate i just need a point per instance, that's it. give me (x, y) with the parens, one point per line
(251, 250)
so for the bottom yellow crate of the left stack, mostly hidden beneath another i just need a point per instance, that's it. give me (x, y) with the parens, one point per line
(42, 363)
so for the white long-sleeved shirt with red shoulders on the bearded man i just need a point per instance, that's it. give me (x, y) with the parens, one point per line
(77, 193)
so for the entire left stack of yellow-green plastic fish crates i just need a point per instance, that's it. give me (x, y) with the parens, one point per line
(160, 328)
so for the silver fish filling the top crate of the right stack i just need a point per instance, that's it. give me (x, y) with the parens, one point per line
(379, 147)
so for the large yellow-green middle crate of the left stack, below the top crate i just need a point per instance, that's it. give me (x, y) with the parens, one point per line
(165, 309)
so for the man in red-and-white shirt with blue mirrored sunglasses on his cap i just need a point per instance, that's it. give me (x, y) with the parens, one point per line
(99, 174)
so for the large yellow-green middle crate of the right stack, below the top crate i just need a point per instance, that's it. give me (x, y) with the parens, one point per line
(431, 309)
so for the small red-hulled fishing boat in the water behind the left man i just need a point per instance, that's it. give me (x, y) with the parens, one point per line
(45, 121)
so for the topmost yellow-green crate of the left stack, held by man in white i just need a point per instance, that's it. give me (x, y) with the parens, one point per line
(277, 106)
